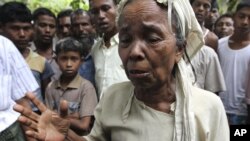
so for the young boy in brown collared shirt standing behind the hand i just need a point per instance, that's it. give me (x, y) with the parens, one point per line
(79, 92)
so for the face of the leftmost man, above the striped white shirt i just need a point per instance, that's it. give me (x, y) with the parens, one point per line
(19, 33)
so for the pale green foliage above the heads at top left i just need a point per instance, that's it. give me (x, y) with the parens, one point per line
(54, 5)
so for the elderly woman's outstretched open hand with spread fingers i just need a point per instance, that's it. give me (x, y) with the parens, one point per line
(48, 126)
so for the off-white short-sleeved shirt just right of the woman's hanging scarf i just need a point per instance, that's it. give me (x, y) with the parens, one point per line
(207, 70)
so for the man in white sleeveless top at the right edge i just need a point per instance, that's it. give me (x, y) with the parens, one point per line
(234, 57)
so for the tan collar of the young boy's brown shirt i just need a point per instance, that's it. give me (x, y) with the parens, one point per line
(75, 83)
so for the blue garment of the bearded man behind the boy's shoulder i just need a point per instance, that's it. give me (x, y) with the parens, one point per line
(87, 69)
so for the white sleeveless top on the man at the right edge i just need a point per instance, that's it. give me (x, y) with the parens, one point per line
(235, 65)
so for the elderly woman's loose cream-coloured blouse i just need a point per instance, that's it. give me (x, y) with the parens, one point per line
(119, 116)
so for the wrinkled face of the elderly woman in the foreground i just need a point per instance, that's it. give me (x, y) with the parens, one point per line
(147, 47)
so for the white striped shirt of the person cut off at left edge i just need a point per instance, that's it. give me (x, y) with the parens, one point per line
(15, 80)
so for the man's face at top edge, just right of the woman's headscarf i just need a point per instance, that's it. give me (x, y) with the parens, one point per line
(201, 9)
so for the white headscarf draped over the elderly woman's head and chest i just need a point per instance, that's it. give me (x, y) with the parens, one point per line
(191, 30)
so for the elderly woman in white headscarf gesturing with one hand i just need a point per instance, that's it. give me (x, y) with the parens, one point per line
(159, 104)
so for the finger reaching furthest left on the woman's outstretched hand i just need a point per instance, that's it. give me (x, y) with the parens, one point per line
(26, 112)
